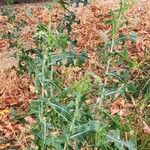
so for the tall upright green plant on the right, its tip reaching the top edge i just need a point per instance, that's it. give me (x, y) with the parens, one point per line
(112, 57)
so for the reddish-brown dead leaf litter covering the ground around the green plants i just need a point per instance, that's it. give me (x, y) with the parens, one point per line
(16, 91)
